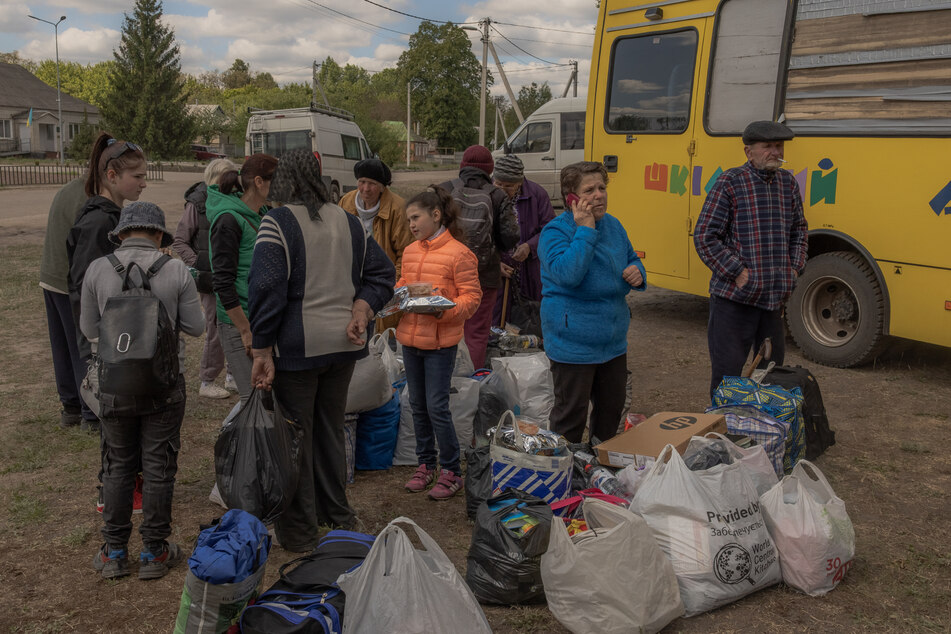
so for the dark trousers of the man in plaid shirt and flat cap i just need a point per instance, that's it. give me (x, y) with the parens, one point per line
(734, 328)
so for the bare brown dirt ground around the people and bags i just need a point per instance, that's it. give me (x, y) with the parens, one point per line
(890, 465)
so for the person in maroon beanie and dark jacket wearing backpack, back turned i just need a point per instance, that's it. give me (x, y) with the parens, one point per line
(491, 228)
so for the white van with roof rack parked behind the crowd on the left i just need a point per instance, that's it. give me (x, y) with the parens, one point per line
(330, 133)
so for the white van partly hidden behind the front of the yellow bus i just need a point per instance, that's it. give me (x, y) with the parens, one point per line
(549, 139)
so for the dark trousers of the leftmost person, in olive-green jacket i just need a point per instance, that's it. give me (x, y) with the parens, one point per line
(68, 367)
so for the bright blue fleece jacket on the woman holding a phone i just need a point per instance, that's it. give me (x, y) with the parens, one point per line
(584, 311)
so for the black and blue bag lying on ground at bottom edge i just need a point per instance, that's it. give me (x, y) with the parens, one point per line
(306, 599)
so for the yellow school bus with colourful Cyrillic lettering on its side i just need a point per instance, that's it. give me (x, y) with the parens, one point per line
(866, 88)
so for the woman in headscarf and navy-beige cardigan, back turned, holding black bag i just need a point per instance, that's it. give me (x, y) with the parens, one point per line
(316, 281)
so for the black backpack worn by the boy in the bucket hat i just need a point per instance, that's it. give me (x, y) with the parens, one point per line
(138, 342)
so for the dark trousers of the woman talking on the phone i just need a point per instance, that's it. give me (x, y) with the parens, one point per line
(577, 384)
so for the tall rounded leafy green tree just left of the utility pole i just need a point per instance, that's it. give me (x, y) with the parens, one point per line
(446, 78)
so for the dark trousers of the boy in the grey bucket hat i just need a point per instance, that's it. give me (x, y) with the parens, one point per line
(152, 441)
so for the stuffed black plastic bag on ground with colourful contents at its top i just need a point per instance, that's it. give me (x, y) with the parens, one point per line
(504, 566)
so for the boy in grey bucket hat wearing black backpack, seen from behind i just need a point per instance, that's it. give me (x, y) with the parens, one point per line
(135, 302)
